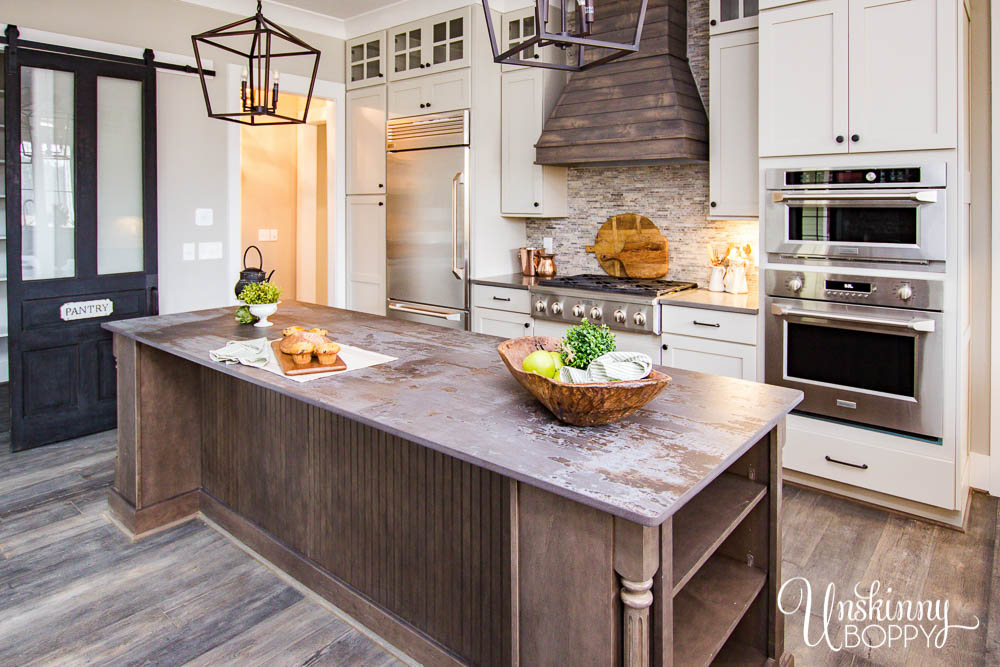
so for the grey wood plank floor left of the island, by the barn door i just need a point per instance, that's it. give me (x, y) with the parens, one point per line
(74, 590)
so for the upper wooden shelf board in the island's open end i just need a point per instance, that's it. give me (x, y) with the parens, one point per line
(708, 519)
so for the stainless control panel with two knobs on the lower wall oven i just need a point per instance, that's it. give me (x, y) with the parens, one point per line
(915, 293)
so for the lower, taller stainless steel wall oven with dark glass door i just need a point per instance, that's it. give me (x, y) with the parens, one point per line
(868, 364)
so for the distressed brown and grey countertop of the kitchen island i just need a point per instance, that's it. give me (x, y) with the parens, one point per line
(449, 391)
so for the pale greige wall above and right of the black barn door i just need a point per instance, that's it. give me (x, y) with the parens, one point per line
(192, 163)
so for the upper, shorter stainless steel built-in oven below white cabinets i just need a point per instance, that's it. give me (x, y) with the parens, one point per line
(882, 215)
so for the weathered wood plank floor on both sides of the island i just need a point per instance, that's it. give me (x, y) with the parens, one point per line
(74, 590)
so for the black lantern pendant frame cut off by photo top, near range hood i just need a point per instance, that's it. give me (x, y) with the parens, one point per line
(562, 39)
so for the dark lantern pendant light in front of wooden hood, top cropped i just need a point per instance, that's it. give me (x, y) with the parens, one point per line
(562, 36)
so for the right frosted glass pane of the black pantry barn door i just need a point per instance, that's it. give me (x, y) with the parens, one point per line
(119, 175)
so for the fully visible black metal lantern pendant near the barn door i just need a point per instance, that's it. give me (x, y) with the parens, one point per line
(259, 100)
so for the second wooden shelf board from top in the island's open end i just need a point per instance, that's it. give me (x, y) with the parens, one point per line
(710, 606)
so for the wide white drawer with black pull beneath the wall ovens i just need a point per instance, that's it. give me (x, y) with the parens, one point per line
(898, 466)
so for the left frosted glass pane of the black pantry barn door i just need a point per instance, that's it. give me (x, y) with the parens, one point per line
(48, 217)
